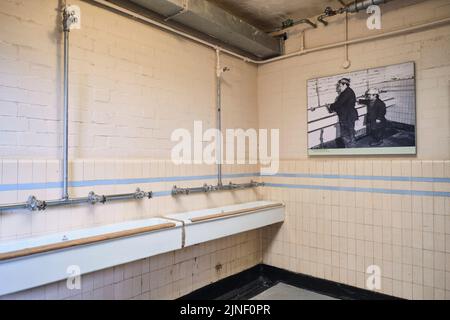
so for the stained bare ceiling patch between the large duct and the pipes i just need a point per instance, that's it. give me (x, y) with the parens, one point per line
(269, 14)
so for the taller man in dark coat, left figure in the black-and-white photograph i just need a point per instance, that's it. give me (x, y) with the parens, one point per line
(344, 106)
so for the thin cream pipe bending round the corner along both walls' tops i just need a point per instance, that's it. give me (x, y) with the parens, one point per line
(137, 16)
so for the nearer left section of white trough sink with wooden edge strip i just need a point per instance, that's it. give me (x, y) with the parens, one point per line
(36, 261)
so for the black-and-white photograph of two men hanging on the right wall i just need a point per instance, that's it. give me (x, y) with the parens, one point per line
(368, 112)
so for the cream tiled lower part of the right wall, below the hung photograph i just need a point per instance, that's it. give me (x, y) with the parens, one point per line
(337, 235)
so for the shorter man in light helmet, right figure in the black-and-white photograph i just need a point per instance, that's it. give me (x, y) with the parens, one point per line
(375, 120)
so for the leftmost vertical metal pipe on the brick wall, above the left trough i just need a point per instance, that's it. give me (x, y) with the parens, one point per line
(65, 194)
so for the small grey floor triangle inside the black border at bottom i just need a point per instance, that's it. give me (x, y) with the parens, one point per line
(282, 291)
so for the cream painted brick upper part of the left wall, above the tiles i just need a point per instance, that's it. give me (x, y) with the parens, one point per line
(131, 85)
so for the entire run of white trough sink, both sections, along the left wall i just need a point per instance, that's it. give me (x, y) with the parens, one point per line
(32, 262)
